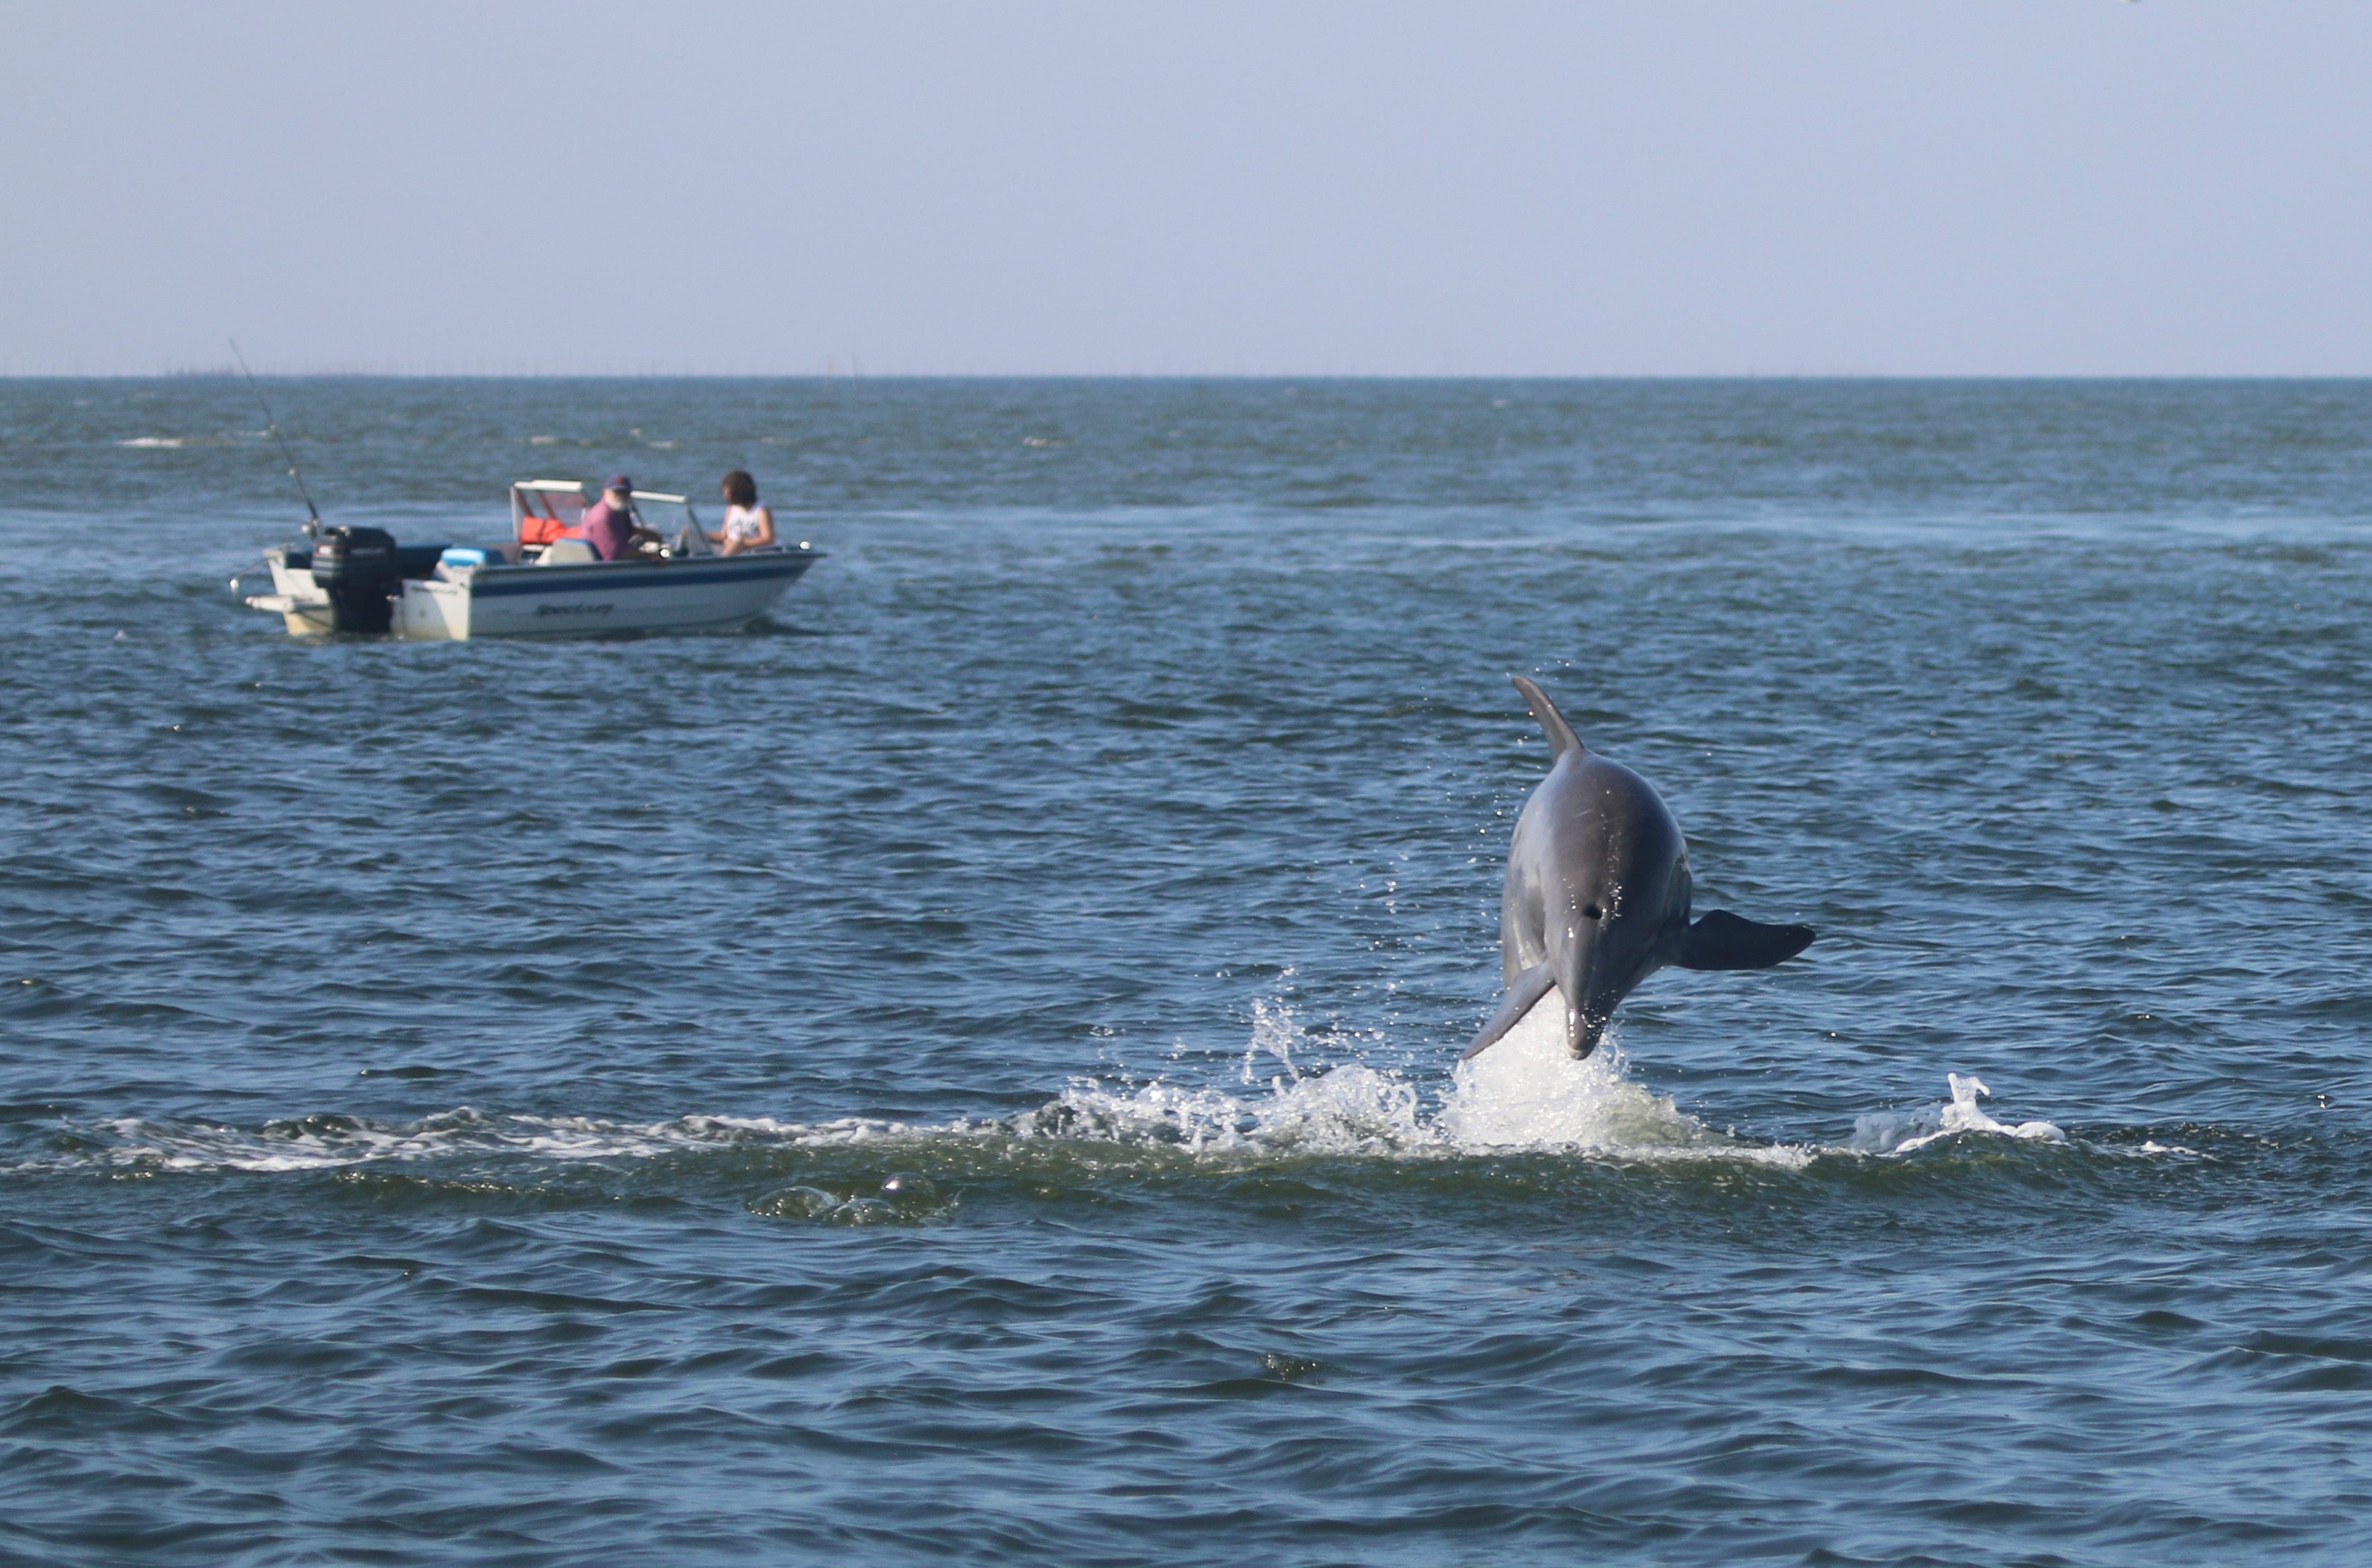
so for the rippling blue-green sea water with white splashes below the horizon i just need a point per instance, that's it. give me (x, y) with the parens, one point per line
(967, 1069)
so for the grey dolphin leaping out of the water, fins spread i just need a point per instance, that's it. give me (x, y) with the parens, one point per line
(1598, 895)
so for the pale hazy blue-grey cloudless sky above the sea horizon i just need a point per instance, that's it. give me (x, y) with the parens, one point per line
(1477, 189)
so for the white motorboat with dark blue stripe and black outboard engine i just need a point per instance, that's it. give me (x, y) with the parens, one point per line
(540, 585)
